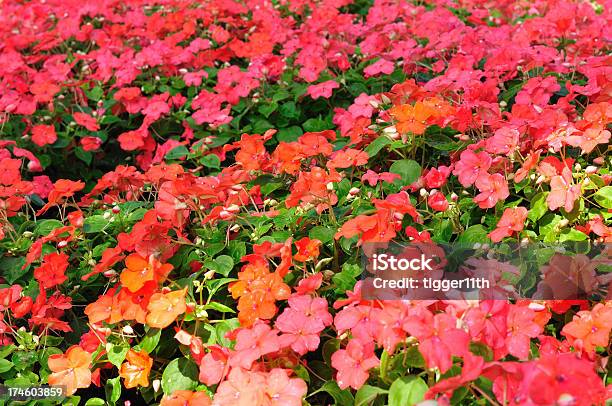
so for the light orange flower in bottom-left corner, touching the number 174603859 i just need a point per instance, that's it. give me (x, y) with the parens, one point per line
(70, 369)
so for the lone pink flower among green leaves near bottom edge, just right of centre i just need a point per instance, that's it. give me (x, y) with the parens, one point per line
(353, 364)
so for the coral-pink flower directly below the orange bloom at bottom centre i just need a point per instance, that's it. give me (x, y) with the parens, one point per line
(253, 343)
